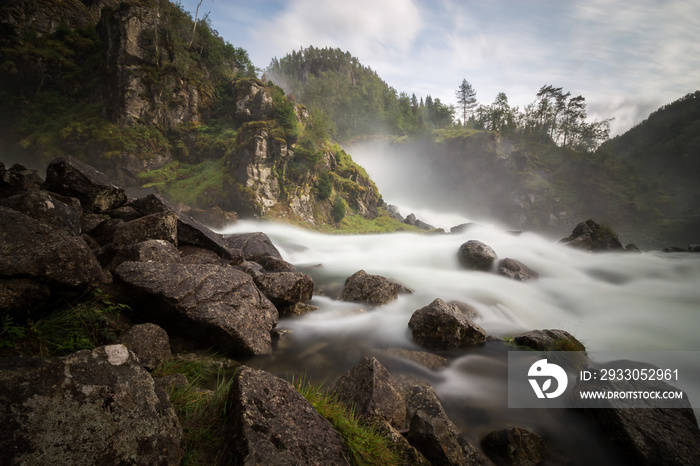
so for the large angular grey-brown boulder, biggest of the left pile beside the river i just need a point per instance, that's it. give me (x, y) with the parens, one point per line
(219, 306)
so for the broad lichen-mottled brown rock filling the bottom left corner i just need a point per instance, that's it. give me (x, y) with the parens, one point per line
(91, 407)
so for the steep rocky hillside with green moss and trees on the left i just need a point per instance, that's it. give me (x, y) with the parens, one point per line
(140, 91)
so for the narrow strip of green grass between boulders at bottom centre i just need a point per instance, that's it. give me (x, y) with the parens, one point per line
(366, 444)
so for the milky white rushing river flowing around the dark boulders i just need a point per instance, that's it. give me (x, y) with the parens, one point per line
(609, 301)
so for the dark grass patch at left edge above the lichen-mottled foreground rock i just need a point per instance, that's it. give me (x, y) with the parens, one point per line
(86, 323)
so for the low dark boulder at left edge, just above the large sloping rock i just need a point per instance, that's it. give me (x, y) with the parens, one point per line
(50, 209)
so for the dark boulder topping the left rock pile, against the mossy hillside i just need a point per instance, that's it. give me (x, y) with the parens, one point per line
(72, 178)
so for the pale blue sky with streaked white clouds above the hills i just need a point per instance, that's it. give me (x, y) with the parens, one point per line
(627, 58)
